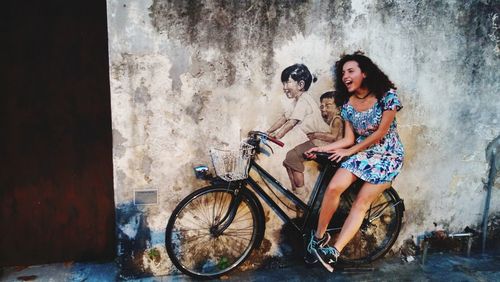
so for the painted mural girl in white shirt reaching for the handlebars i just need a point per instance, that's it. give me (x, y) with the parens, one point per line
(305, 112)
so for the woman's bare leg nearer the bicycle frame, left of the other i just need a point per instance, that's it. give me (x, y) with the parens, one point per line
(339, 183)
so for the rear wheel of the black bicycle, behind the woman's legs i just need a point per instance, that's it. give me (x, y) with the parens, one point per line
(375, 238)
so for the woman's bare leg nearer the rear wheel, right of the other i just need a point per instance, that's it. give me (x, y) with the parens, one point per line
(368, 193)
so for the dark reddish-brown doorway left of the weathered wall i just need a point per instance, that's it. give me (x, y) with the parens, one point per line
(56, 180)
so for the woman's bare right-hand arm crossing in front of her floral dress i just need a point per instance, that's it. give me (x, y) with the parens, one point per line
(385, 123)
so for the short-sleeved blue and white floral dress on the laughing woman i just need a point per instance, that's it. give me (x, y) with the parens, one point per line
(382, 161)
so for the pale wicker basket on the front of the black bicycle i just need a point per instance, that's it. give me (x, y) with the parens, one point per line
(232, 165)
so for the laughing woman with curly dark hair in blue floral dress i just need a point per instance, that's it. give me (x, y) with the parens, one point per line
(370, 150)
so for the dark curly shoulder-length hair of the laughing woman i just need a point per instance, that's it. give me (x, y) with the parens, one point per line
(376, 81)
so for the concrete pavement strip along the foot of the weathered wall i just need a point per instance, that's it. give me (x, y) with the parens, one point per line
(439, 267)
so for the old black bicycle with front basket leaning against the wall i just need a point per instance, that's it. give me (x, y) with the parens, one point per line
(214, 229)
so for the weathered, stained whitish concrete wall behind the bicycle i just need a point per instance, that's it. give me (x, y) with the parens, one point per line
(190, 75)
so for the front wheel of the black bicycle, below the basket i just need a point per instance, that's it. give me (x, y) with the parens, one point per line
(200, 254)
